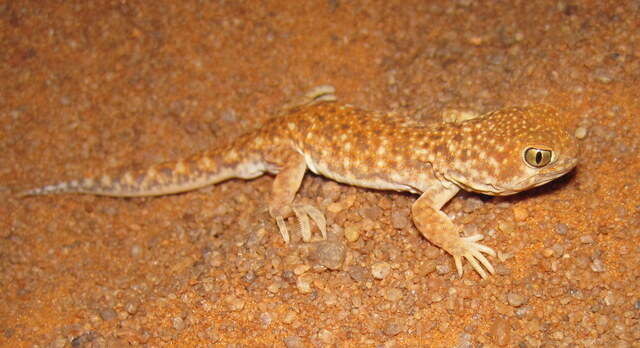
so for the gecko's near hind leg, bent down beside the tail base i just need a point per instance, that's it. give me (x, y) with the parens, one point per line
(284, 188)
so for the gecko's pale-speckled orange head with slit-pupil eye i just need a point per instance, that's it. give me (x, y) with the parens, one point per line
(514, 149)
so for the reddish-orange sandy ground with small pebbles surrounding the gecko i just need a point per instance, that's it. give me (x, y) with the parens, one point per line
(92, 87)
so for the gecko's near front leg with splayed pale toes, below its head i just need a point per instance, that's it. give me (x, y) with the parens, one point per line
(436, 226)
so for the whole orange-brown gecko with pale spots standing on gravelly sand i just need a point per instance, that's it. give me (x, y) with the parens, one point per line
(498, 153)
